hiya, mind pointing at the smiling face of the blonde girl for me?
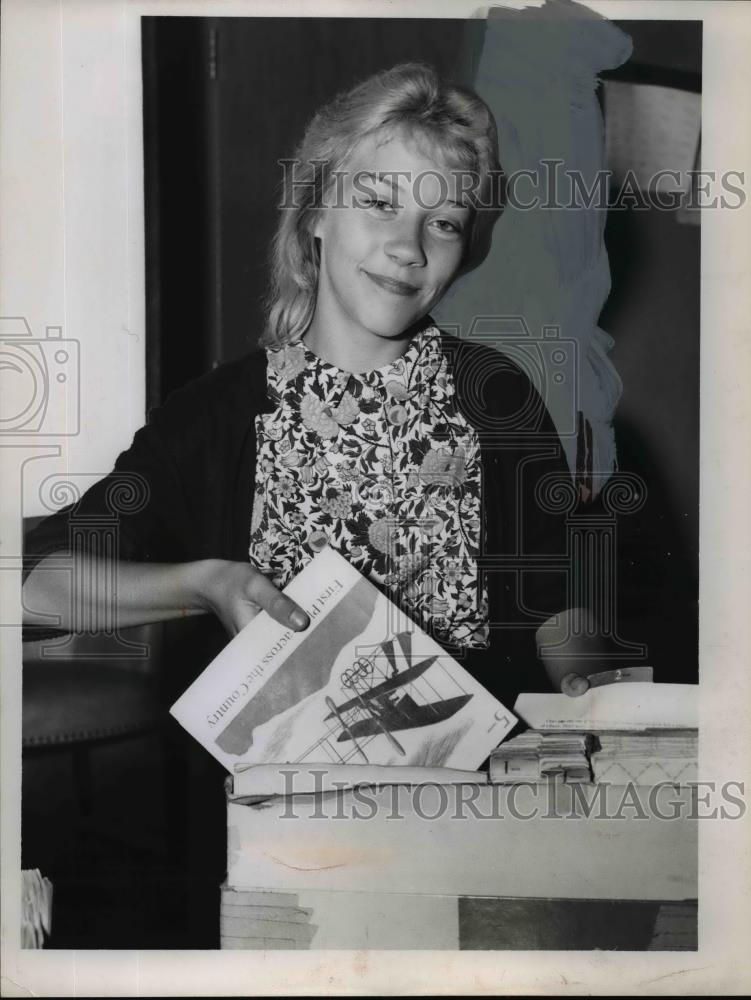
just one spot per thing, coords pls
(391, 241)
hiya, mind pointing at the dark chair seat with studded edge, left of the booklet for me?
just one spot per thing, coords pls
(69, 701)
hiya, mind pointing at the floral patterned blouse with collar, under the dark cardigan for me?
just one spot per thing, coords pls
(383, 467)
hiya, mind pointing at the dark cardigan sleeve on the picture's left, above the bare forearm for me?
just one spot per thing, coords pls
(183, 489)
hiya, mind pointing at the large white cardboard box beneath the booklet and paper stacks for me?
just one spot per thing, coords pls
(384, 867)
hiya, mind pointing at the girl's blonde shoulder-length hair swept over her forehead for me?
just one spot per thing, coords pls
(458, 127)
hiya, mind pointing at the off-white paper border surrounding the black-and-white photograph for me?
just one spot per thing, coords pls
(62, 33)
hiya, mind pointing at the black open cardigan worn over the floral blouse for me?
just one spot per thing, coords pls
(183, 491)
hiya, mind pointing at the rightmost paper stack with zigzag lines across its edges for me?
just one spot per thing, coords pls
(646, 758)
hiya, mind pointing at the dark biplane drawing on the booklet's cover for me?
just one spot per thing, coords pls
(388, 693)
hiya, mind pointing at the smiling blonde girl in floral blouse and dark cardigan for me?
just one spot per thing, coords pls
(420, 458)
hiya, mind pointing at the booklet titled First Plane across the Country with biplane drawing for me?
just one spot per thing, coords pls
(361, 685)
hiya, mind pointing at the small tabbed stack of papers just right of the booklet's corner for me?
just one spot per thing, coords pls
(534, 756)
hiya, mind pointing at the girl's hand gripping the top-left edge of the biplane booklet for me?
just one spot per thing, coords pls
(235, 592)
